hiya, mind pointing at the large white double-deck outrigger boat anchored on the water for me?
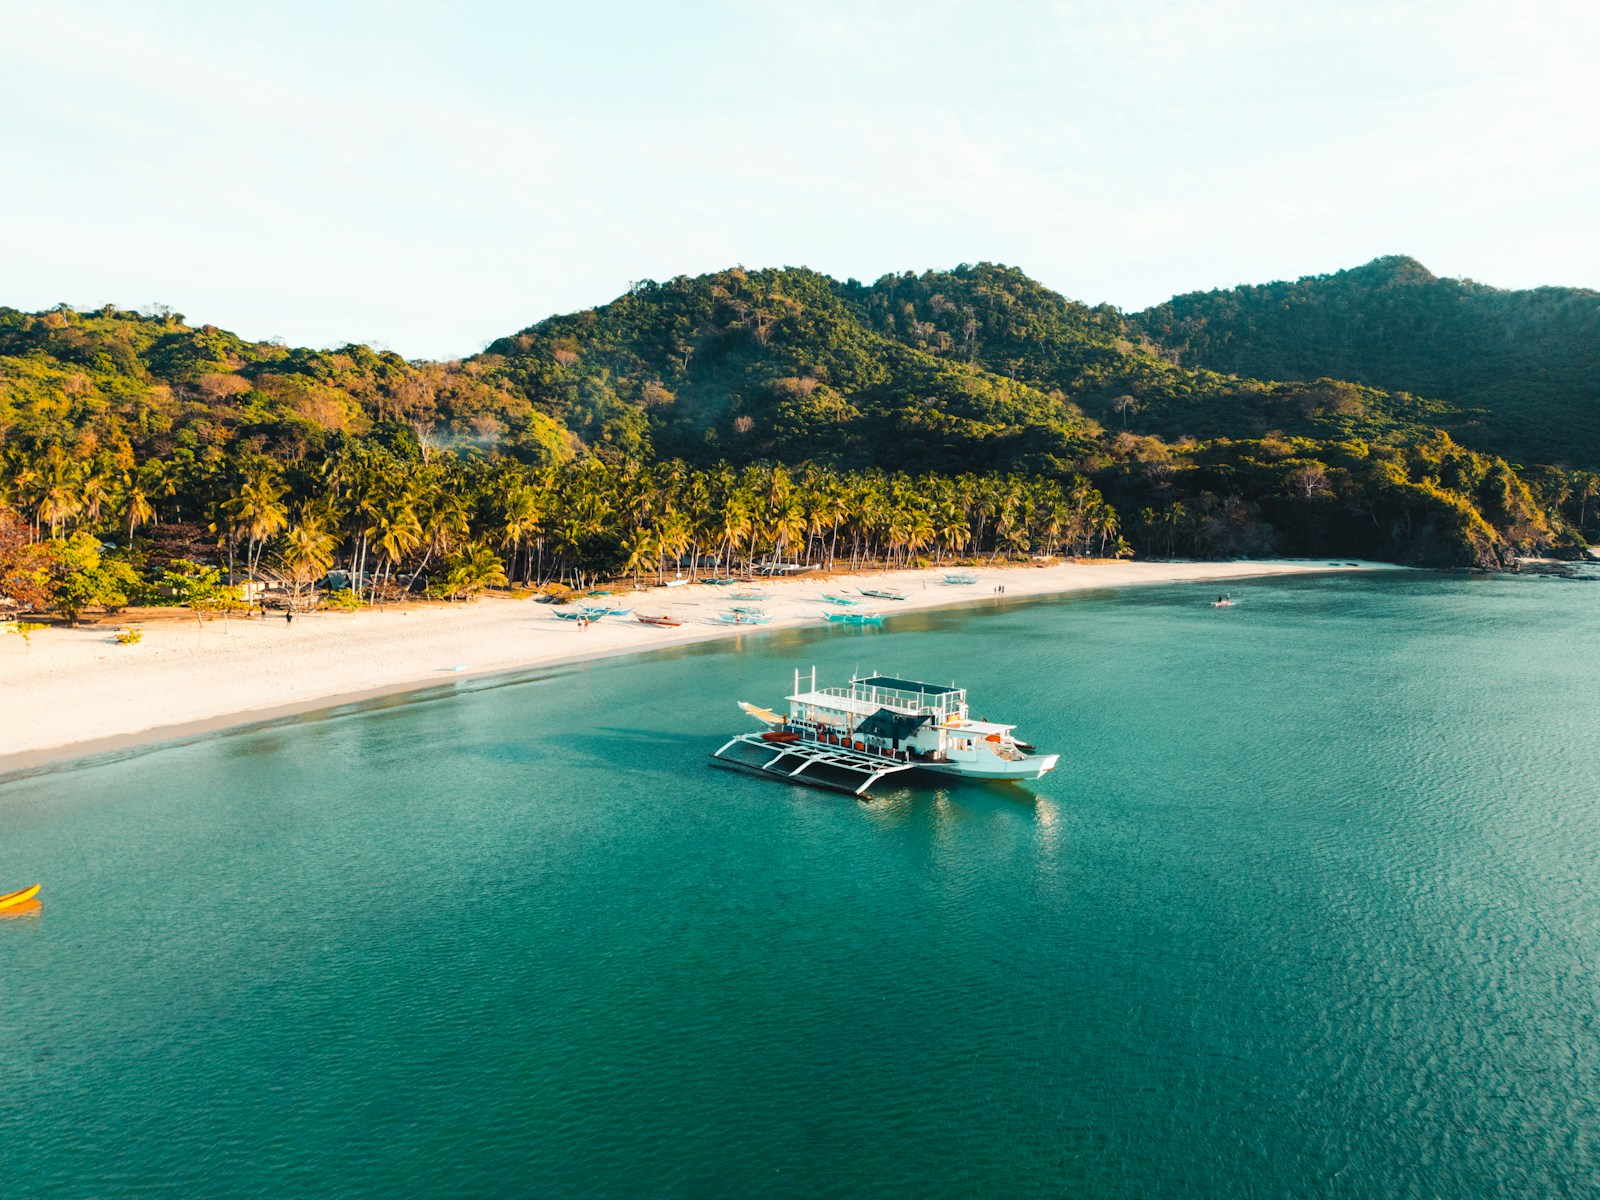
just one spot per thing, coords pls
(846, 740)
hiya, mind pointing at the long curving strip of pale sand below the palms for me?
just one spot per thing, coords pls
(78, 692)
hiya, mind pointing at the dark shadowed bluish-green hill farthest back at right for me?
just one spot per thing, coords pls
(1522, 367)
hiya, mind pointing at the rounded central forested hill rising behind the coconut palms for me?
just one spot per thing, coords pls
(969, 369)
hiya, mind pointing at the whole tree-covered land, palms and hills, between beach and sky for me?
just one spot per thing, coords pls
(753, 415)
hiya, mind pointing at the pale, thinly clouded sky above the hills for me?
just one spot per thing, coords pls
(430, 177)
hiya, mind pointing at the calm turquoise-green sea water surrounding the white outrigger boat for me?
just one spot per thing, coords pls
(1313, 908)
